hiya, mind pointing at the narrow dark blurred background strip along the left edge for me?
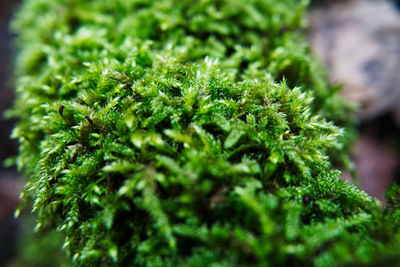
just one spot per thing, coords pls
(10, 183)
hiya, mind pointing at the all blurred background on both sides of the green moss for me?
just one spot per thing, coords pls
(357, 40)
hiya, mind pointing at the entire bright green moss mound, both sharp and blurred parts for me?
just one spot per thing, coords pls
(159, 133)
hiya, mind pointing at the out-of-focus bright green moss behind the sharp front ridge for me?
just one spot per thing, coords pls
(250, 38)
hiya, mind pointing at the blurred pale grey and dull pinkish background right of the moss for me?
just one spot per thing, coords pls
(359, 43)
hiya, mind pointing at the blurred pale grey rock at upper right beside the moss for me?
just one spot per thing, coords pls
(359, 41)
